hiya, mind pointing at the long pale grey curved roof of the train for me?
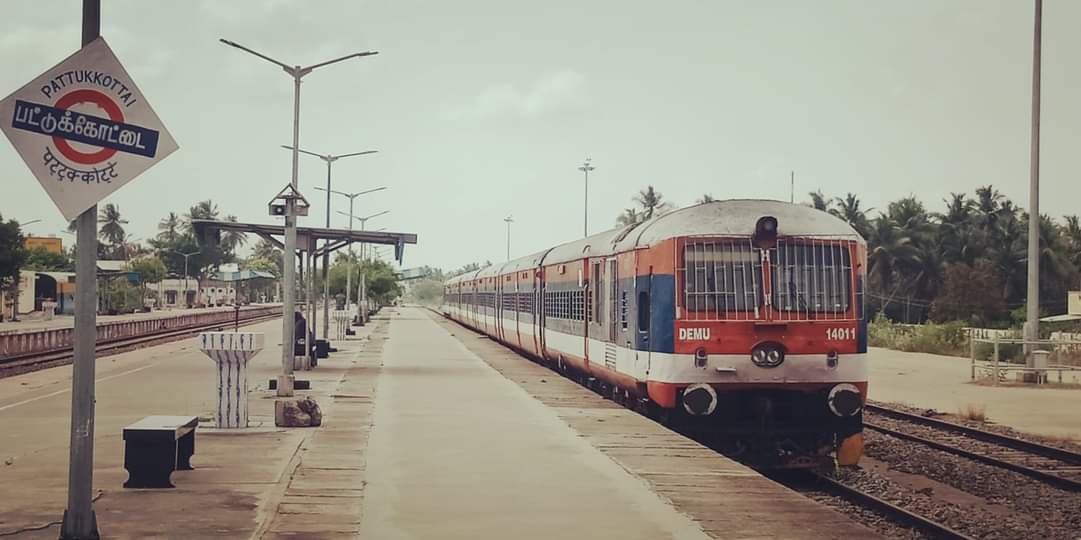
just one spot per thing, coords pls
(733, 218)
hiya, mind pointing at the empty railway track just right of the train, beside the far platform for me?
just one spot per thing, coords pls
(1047, 464)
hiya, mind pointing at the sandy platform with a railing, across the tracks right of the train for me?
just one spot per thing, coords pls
(944, 384)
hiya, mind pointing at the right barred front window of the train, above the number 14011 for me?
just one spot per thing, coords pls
(811, 277)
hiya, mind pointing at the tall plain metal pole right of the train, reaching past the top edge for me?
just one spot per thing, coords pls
(1033, 304)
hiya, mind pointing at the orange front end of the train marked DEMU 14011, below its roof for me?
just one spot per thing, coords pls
(768, 343)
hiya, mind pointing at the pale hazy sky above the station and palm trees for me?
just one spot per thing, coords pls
(486, 109)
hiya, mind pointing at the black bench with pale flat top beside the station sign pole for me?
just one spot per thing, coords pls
(156, 447)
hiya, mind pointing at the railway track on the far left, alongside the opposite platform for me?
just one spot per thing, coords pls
(35, 361)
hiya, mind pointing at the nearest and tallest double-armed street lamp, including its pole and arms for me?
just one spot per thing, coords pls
(289, 258)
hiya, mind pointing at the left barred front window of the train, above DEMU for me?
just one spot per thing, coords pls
(722, 278)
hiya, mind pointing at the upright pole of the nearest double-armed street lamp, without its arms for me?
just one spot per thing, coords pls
(289, 258)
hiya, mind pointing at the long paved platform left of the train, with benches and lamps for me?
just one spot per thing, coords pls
(430, 431)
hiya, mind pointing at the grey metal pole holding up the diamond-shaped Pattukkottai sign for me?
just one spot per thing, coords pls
(79, 521)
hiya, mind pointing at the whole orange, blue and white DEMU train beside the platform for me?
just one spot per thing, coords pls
(742, 320)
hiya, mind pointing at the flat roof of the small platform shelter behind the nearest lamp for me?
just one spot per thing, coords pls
(309, 239)
